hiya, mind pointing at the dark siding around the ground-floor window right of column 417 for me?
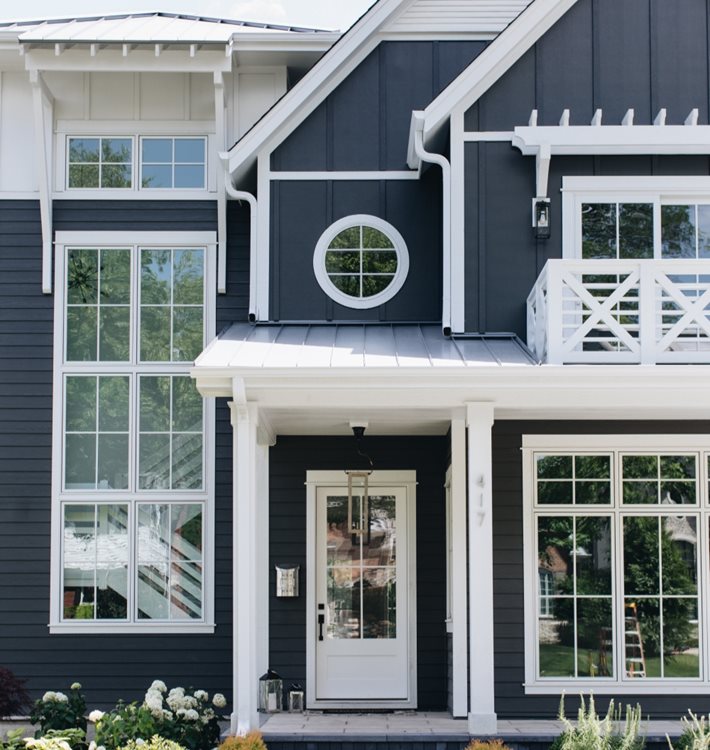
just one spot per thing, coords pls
(511, 701)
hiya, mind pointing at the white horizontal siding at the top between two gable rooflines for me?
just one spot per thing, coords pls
(460, 16)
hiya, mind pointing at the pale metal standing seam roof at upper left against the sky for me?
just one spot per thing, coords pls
(142, 27)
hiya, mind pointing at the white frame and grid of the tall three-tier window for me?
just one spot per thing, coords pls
(176, 500)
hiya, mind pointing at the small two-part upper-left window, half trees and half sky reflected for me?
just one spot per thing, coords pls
(136, 163)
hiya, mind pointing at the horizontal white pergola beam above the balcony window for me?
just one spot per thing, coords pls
(613, 139)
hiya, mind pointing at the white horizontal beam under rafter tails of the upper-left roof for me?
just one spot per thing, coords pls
(136, 61)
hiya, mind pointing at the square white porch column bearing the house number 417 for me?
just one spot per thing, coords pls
(482, 716)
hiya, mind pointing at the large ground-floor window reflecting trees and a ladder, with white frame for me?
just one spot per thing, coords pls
(616, 563)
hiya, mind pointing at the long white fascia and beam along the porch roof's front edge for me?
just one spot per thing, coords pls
(543, 392)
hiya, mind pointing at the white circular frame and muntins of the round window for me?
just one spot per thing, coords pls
(361, 222)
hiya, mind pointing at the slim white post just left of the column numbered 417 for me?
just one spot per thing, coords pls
(459, 616)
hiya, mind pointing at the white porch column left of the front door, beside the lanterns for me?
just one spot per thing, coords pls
(250, 560)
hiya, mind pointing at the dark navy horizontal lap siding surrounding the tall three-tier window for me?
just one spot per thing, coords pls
(108, 666)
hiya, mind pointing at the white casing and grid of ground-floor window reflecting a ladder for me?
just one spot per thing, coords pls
(618, 511)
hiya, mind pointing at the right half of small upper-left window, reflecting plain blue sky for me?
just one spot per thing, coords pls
(177, 163)
